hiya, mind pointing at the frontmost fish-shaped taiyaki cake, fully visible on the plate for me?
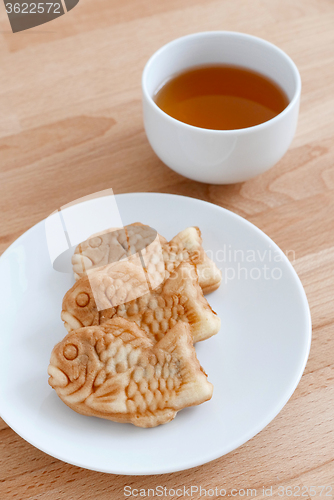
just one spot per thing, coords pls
(114, 371)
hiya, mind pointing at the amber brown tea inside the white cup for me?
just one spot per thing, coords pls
(221, 97)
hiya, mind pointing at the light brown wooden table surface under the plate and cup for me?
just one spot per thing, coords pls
(71, 125)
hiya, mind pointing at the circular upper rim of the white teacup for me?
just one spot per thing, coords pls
(205, 34)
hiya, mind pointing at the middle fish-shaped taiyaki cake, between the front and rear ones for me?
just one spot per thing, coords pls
(179, 298)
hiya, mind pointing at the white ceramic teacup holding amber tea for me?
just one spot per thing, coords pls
(220, 156)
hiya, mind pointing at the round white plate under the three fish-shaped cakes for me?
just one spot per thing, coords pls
(254, 363)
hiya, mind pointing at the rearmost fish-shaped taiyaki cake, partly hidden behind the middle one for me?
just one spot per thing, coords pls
(158, 256)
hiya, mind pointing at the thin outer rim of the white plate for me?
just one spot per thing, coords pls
(245, 438)
